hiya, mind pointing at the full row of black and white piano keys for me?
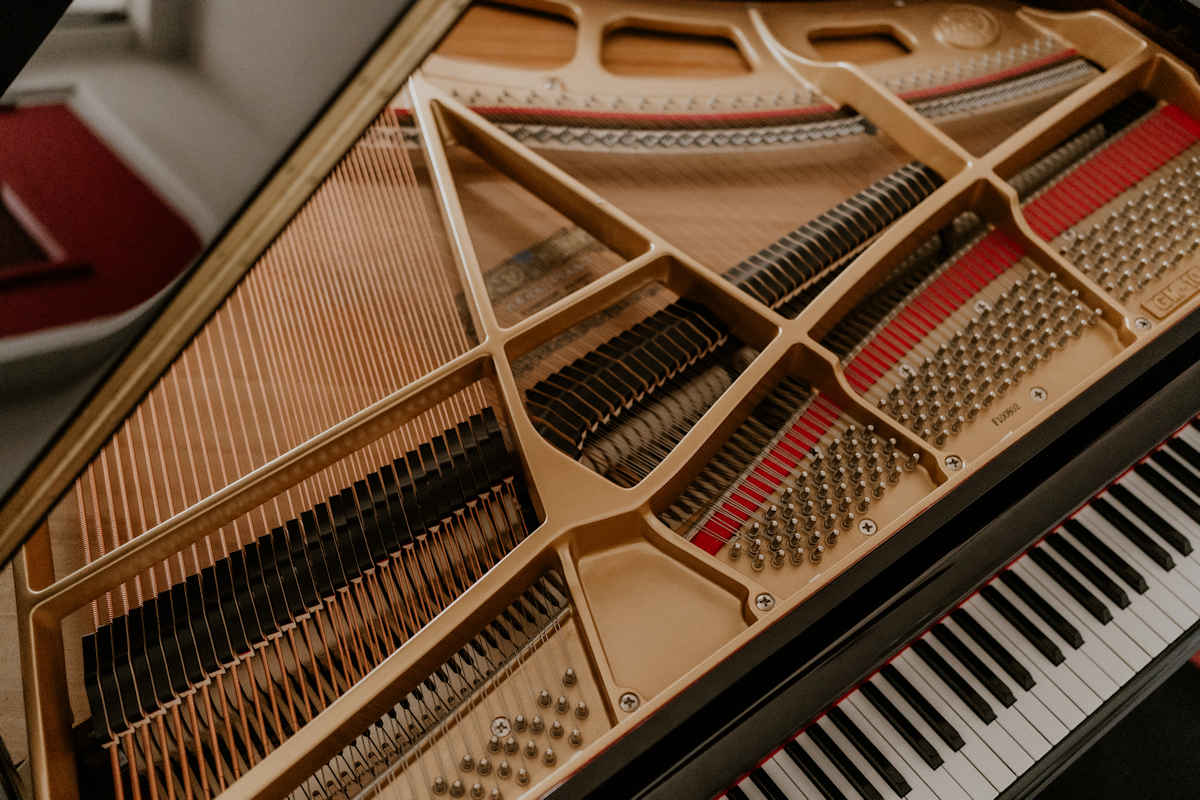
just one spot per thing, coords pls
(994, 687)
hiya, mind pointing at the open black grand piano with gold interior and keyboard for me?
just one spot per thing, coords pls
(614, 399)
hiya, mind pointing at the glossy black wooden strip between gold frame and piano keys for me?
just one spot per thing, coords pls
(724, 724)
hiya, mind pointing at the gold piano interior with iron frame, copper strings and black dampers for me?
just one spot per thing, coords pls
(620, 332)
